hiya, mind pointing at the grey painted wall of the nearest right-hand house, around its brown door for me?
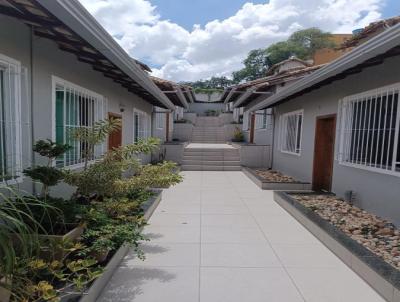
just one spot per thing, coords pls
(375, 192)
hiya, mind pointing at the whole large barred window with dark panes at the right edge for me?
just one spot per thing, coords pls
(370, 130)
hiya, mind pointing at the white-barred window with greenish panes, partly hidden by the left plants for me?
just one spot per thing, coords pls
(75, 107)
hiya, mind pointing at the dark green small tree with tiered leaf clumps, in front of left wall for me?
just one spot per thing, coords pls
(47, 175)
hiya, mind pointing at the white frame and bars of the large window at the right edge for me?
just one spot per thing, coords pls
(346, 119)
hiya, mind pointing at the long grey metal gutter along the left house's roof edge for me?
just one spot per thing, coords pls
(78, 19)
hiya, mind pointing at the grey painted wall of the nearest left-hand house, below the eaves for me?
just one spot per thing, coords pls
(49, 61)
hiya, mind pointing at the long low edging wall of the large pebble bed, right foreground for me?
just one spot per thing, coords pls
(380, 275)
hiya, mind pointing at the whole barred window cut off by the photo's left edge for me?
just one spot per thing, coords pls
(10, 120)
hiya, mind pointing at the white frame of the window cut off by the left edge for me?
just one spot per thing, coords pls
(12, 68)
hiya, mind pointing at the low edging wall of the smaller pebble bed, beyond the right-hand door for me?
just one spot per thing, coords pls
(277, 186)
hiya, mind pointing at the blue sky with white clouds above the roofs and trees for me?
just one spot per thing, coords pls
(188, 40)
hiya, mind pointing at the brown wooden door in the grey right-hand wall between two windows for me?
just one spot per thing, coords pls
(324, 153)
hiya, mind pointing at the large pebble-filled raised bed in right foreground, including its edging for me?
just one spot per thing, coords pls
(366, 243)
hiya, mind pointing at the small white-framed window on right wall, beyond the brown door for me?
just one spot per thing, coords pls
(291, 125)
